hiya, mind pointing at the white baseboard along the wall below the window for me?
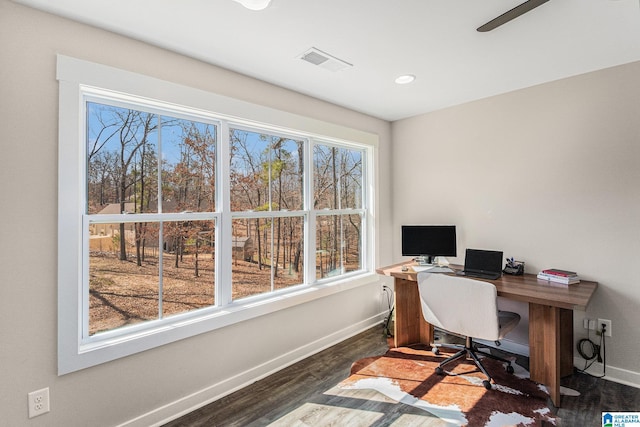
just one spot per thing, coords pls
(187, 404)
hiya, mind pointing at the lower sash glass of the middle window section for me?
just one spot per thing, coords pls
(267, 255)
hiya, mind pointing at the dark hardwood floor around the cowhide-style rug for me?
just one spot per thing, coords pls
(300, 394)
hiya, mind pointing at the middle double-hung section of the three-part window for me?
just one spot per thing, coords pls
(267, 200)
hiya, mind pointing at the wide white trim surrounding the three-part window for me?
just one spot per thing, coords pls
(73, 73)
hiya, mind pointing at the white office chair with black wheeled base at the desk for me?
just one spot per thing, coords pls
(465, 307)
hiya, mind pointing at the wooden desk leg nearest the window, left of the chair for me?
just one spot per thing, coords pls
(410, 326)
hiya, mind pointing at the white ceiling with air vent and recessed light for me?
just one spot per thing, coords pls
(436, 40)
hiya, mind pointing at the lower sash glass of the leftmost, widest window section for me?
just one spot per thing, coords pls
(125, 291)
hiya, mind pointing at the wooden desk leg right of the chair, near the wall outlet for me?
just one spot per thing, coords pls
(550, 346)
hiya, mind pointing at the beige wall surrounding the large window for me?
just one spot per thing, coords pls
(178, 375)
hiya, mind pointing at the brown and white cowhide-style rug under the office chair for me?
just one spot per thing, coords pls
(407, 375)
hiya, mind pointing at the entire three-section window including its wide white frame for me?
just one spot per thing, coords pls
(175, 219)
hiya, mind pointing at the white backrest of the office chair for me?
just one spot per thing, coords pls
(460, 305)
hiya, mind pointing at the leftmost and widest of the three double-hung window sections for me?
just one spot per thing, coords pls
(150, 215)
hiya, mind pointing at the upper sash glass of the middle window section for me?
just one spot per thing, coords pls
(266, 172)
